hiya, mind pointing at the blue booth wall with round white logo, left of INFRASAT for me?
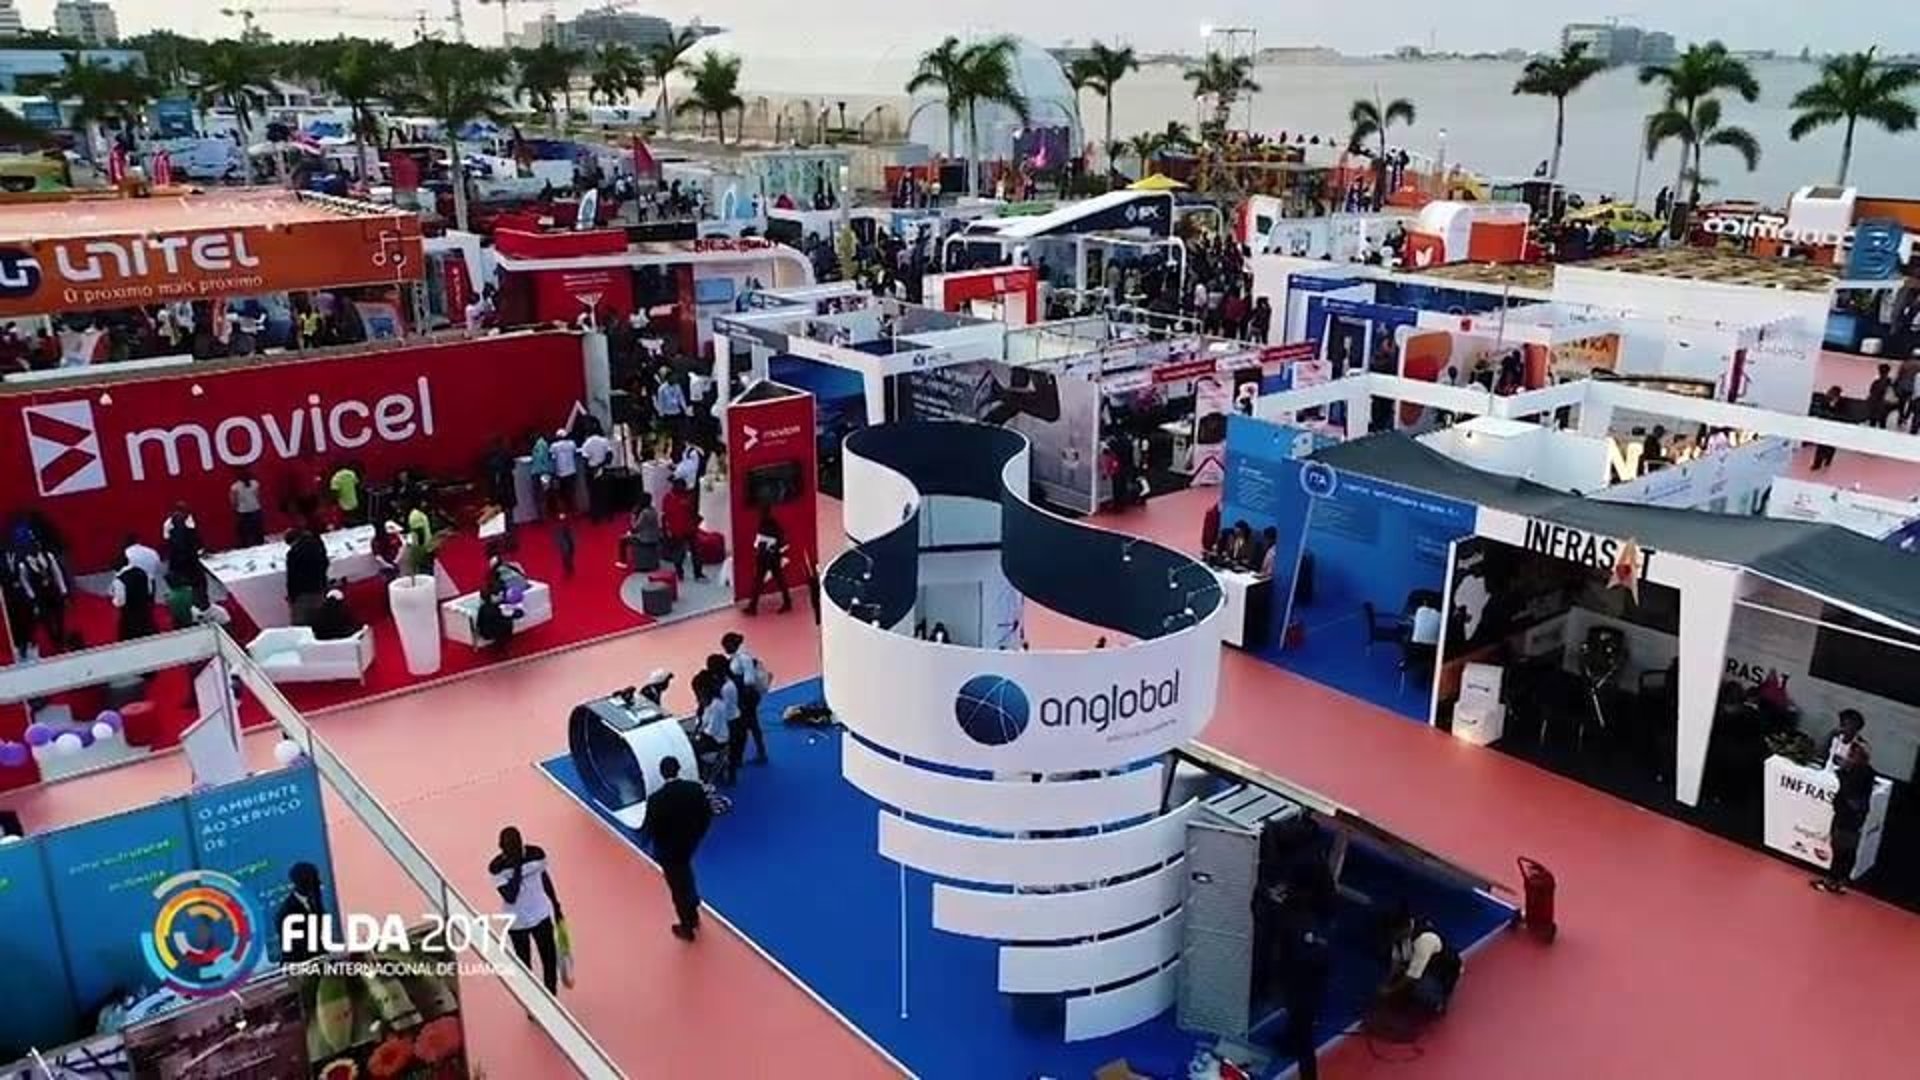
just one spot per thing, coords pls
(1372, 543)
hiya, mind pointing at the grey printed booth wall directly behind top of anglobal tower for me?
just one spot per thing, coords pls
(1059, 414)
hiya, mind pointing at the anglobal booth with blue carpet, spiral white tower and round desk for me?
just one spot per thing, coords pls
(1036, 870)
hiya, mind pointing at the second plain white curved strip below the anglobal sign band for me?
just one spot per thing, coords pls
(1034, 862)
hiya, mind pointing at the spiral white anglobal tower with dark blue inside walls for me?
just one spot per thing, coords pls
(1032, 785)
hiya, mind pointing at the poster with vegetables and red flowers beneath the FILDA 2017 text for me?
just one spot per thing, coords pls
(402, 1023)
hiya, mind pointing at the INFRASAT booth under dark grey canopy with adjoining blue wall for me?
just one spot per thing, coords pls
(1691, 662)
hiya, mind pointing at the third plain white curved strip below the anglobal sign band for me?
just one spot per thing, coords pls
(1057, 916)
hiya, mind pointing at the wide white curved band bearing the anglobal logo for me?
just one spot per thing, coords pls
(917, 708)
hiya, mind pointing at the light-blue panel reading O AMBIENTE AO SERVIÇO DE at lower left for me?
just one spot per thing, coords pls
(258, 829)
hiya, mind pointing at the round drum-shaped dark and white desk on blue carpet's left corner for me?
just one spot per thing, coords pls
(617, 749)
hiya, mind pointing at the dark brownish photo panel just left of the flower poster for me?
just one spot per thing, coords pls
(256, 1033)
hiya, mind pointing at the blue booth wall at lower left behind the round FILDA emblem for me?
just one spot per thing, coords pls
(78, 900)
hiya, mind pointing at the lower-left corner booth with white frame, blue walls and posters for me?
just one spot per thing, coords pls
(153, 941)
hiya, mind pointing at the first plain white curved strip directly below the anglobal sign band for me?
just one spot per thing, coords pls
(1001, 806)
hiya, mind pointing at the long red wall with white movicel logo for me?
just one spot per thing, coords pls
(112, 458)
